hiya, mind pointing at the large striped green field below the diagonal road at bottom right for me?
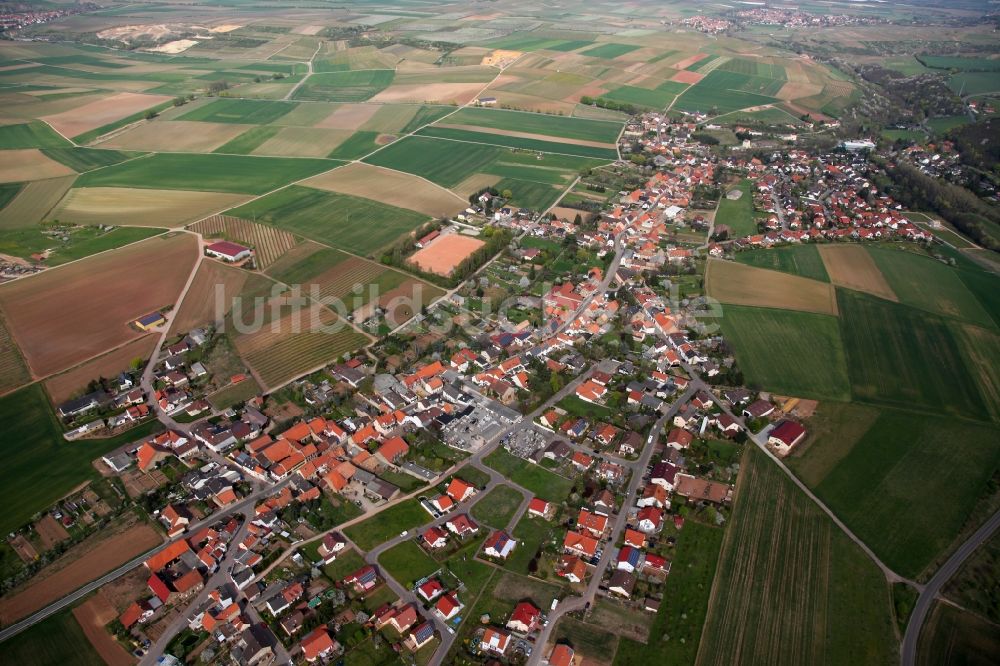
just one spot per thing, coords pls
(791, 588)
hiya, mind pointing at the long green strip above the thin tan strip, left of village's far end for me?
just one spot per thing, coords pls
(538, 123)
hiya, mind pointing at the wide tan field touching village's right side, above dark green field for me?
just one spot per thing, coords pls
(739, 284)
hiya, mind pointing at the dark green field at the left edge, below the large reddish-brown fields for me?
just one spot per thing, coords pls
(40, 466)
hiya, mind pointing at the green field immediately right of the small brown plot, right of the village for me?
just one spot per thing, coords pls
(930, 285)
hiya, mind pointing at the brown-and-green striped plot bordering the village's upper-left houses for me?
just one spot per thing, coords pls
(278, 352)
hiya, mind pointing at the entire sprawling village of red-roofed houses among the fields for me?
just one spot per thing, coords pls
(597, 409)
